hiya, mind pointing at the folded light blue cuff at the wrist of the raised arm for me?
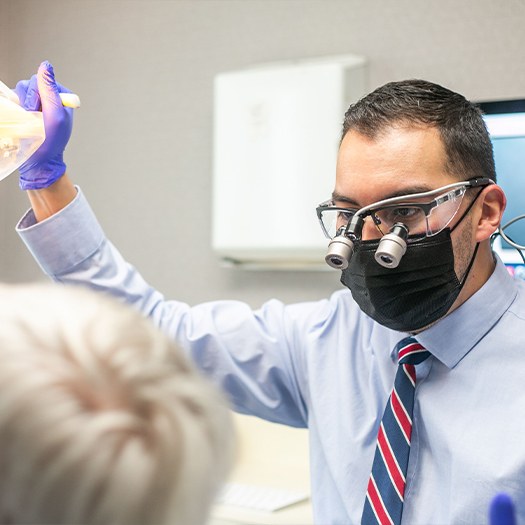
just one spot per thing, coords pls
(64, 240)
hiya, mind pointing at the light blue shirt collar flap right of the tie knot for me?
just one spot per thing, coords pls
(456, 334)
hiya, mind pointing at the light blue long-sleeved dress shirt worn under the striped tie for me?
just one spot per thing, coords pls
(325, 365)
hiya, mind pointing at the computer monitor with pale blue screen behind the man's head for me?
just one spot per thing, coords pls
(505, 121)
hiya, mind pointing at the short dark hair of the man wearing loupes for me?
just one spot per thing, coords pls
(418, 102)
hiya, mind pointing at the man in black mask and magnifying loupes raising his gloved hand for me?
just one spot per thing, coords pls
(415, 168)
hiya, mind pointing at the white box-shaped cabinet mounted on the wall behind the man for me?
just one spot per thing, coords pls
(277, 128)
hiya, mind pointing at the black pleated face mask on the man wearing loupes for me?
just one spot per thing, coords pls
(417, 293)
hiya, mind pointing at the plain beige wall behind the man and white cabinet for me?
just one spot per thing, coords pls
(142, 142)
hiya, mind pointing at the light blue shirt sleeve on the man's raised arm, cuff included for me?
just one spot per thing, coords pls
(255, 356)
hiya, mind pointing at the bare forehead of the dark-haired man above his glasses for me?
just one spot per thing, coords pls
(400, 160)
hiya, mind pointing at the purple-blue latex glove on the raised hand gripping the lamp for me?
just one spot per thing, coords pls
(41, 92)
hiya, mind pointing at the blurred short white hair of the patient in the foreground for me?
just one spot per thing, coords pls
(103, 420)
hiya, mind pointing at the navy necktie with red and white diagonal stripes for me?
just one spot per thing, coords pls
(386, 486)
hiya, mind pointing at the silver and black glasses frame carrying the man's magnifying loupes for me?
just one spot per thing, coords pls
(368, 211)
